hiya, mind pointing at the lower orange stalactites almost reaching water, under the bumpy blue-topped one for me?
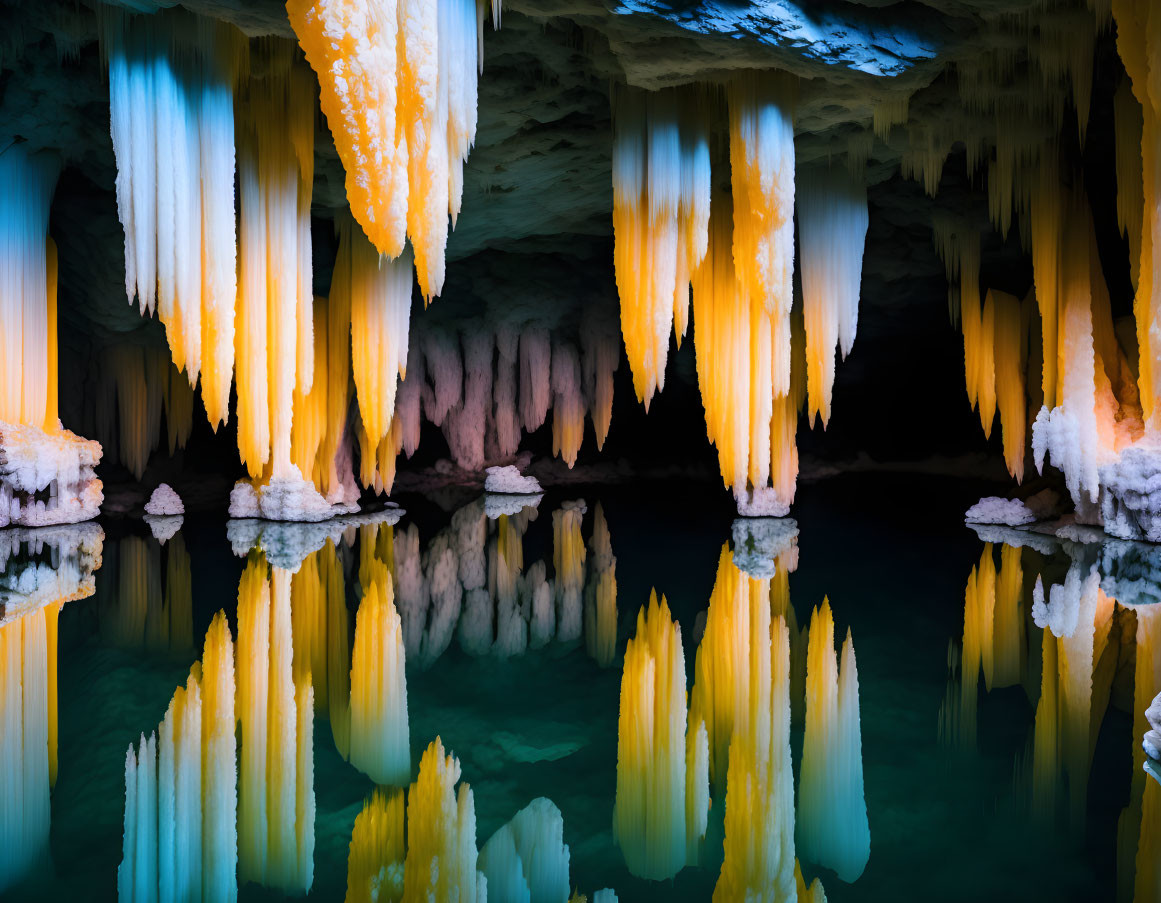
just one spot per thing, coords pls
(751, 418)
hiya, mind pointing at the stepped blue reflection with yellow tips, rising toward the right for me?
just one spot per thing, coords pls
(181, 836)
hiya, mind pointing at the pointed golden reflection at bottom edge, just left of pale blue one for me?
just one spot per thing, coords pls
(442, 833)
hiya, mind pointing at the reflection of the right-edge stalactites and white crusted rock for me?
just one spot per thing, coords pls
(1087, 638)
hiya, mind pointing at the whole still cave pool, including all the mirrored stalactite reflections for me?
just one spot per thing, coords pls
(997, 738)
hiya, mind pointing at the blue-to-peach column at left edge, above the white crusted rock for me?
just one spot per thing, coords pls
(28, 291)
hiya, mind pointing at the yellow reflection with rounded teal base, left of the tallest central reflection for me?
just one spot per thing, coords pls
(662, 784)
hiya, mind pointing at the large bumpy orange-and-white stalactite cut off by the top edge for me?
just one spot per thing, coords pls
(399, 89)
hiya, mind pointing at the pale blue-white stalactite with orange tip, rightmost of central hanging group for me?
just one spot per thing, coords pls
(833, 226)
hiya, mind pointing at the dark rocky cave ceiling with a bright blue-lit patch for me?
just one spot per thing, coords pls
(535, 239)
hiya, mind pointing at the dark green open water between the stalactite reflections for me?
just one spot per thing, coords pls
(948, 821)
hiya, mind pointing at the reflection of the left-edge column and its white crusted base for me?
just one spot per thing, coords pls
(41, 569)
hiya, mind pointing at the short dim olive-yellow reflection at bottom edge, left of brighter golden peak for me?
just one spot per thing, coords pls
(376, 862)
